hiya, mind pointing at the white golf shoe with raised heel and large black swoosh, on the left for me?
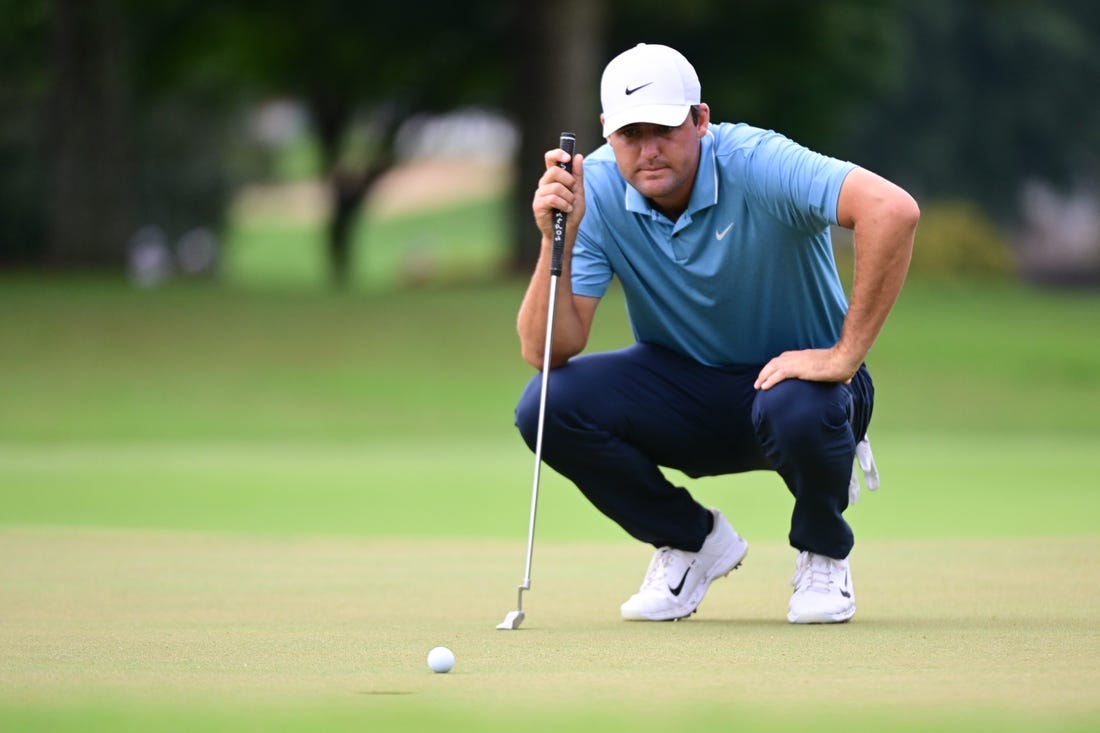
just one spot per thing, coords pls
(677, 581)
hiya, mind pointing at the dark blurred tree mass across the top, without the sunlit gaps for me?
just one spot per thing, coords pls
(963, 100)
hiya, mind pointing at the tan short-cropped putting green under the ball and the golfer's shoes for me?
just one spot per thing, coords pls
(126, 626)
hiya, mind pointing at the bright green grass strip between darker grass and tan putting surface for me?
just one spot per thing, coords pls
(951, 485)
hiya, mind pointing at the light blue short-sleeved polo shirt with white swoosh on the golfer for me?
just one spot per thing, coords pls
(745, 273)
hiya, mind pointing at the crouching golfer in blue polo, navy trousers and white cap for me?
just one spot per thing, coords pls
(749, 355)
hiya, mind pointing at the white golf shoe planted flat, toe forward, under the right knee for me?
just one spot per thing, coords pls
(823, 593)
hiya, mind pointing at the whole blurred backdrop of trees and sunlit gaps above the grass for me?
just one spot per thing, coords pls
(128, 126)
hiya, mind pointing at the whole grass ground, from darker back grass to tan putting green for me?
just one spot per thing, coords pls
(255, 510)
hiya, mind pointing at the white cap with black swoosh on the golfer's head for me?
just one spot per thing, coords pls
(650, 83)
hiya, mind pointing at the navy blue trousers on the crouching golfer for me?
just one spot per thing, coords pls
(615, 419)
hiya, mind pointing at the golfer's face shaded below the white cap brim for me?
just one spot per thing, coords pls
(659, 161)
